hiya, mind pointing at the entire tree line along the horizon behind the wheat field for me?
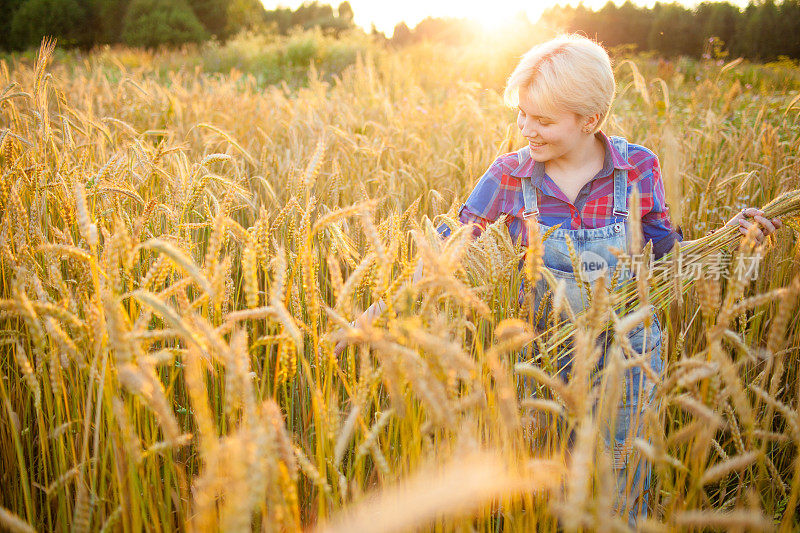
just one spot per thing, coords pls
(763, 31)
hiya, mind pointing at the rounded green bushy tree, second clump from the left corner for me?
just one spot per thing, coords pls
(150, 23)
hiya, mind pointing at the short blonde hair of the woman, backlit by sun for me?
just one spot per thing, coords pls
(568, 72)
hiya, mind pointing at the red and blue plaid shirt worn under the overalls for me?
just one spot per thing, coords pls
(499, 191)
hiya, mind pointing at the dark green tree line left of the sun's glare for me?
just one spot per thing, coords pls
(149, 23)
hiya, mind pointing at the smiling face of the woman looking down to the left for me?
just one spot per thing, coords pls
(550, 134)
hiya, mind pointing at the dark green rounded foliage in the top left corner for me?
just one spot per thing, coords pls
(63, 19)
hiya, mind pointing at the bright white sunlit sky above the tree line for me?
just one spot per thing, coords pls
(386, 13)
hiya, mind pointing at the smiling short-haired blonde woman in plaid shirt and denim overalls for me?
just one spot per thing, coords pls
(572, 174)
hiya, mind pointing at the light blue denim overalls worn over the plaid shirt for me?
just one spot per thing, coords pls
(593, 246)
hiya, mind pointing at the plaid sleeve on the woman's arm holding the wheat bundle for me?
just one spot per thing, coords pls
(656, 224)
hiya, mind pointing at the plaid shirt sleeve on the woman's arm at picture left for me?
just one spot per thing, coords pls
(484, 204)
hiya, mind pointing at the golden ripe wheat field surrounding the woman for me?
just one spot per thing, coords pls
(180, 251)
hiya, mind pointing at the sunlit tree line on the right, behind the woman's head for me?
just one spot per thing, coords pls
(762, 31)
